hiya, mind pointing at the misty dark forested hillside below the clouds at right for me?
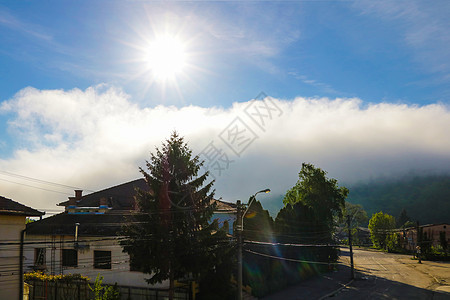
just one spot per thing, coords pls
(425, 198)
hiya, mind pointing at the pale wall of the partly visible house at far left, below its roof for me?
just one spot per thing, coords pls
(10, 227)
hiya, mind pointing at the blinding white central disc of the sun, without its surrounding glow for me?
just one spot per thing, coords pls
(166, 58)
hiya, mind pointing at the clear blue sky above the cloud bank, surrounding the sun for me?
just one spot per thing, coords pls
(391, 51)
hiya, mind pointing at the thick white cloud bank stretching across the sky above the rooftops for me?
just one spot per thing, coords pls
(97, 138)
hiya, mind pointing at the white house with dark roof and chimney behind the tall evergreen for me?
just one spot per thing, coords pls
(85, 237)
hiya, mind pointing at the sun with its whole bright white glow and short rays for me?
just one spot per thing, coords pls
(165, 58)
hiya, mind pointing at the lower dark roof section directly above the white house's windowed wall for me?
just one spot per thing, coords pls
(107, 224)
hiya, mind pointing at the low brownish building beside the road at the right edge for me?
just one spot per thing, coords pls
(431, 233)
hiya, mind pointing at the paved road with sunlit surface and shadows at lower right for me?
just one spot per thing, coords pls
(391, 276)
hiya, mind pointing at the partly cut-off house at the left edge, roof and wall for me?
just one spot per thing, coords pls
(12, 223)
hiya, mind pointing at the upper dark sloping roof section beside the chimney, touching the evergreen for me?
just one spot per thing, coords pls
(119, 197)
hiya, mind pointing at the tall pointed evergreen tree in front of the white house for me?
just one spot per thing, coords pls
(169, 234)
